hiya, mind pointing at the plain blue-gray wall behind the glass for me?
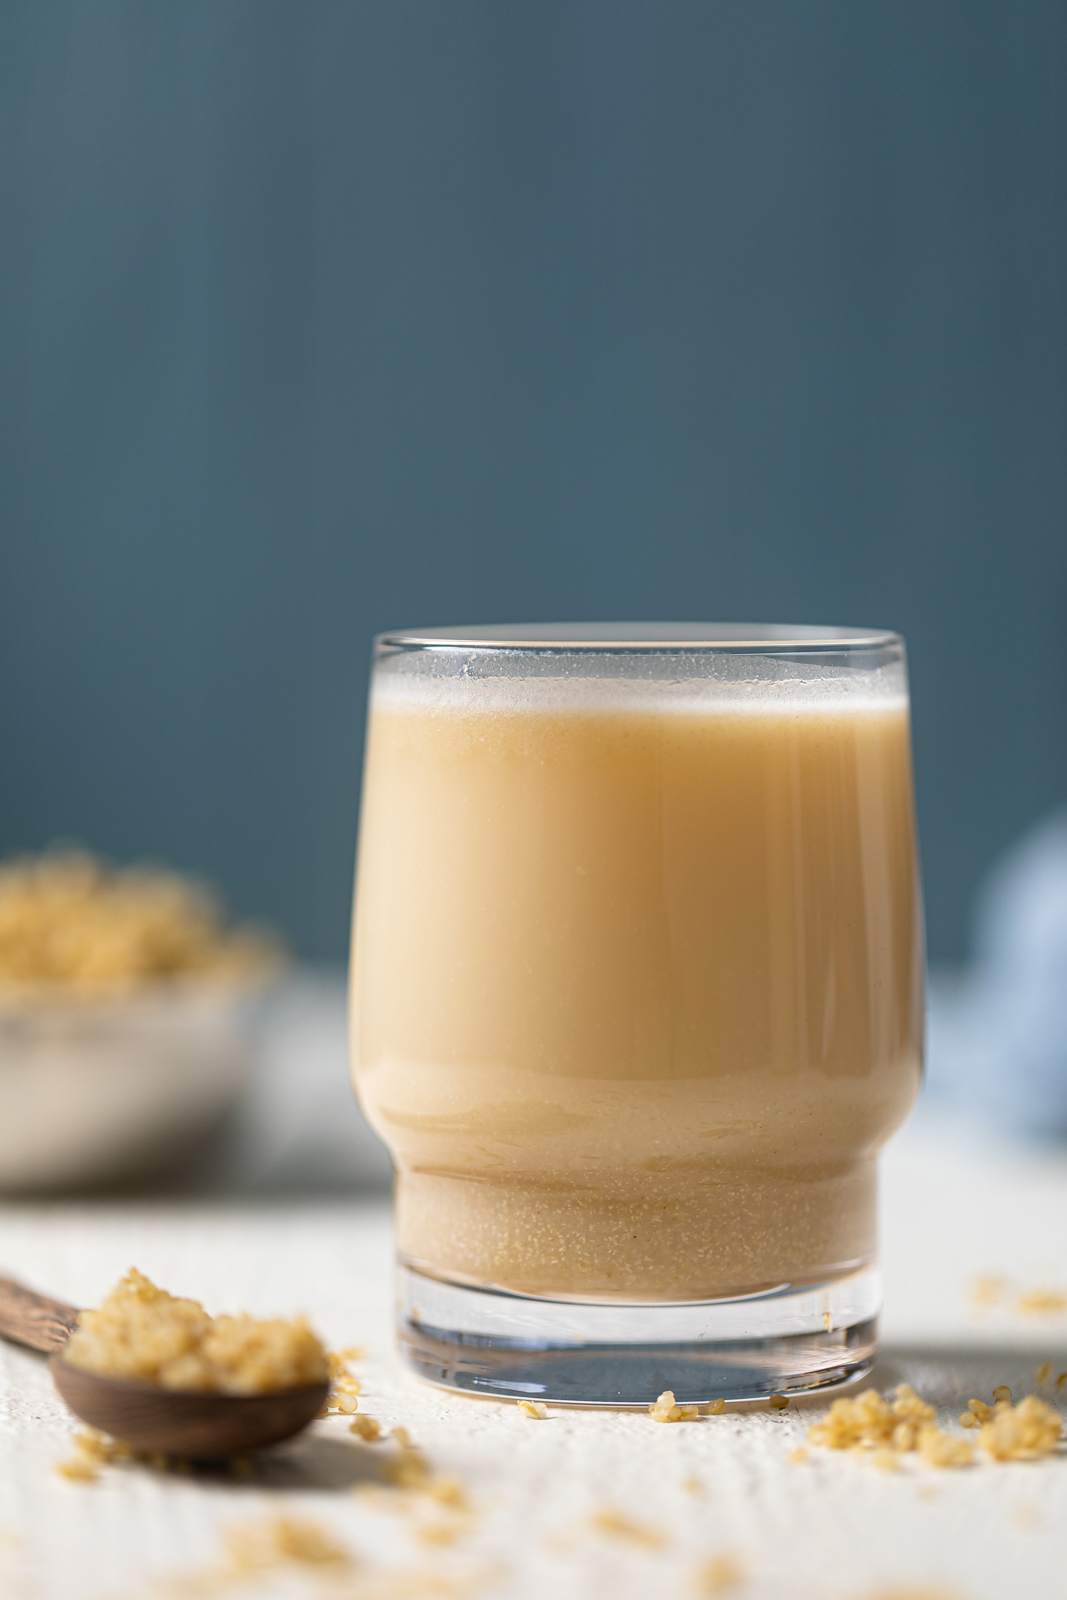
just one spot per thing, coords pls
(326, 318)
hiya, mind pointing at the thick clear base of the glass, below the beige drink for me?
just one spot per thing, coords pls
(580, 1353)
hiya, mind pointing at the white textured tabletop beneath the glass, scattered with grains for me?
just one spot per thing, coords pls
(831, 1527)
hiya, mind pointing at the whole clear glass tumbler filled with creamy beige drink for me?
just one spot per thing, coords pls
(637, 998)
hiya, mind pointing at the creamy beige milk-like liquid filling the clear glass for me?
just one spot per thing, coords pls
(637, 988)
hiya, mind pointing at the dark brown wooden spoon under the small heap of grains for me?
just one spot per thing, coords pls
(146, 1417)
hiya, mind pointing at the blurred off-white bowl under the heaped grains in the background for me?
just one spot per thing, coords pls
(94, 1092)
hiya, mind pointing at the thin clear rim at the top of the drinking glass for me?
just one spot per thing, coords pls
(607, 638)
